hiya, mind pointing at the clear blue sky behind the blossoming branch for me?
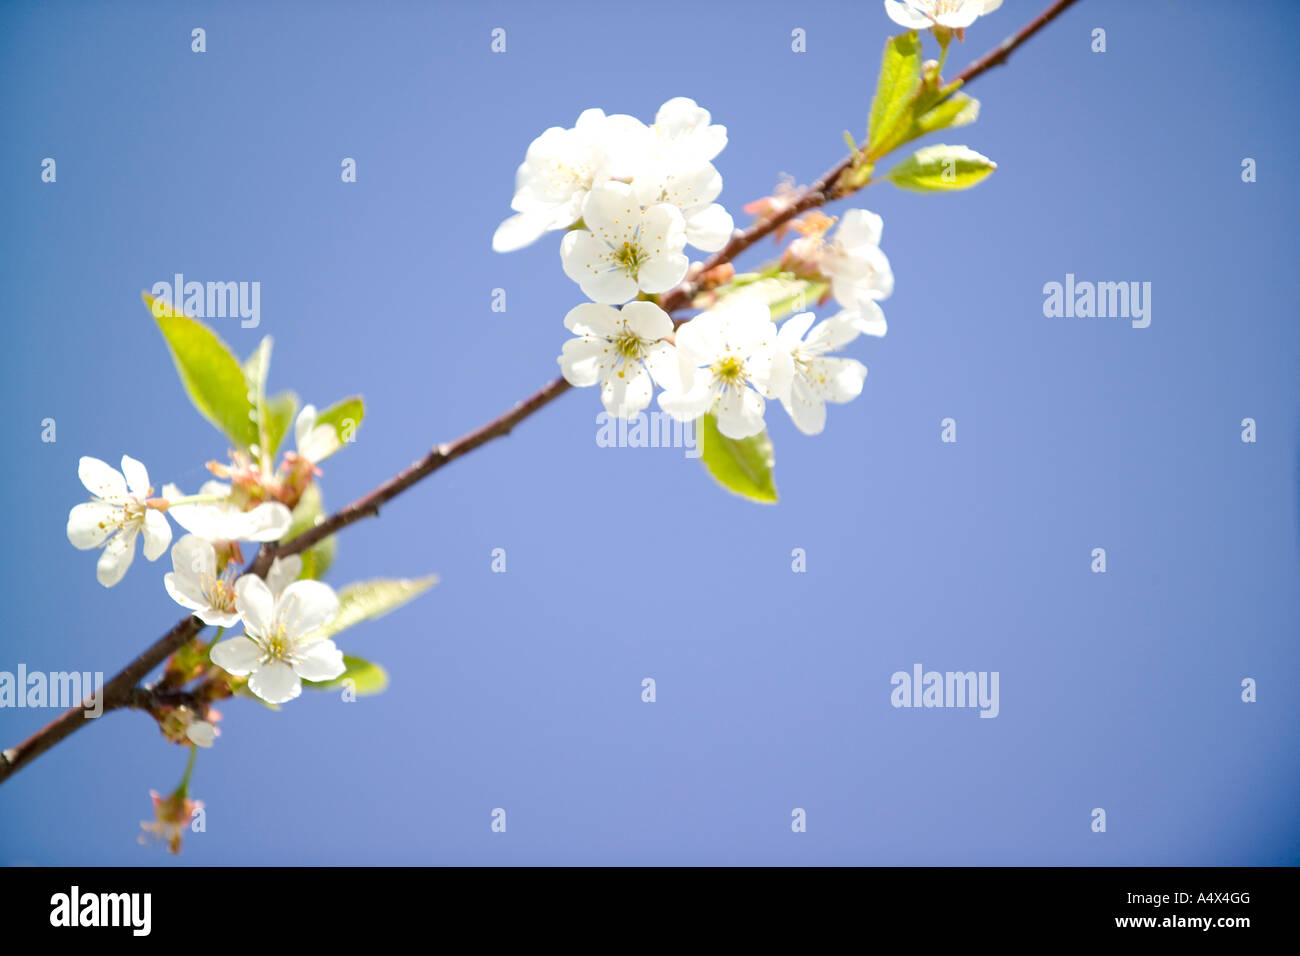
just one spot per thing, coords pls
(522, 691)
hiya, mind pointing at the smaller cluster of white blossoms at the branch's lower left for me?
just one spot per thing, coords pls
(280, 615)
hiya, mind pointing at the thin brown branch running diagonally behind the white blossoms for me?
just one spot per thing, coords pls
(123, 693)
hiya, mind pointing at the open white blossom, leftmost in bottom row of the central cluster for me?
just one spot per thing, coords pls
(625, 353)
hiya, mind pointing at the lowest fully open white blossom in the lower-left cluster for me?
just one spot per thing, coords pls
(278, 651)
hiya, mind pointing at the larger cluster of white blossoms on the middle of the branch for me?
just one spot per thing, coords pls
(632, 198)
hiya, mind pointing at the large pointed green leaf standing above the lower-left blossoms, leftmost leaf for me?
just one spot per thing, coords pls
(213, 377)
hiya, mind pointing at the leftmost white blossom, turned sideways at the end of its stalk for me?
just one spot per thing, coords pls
(119, 513)
